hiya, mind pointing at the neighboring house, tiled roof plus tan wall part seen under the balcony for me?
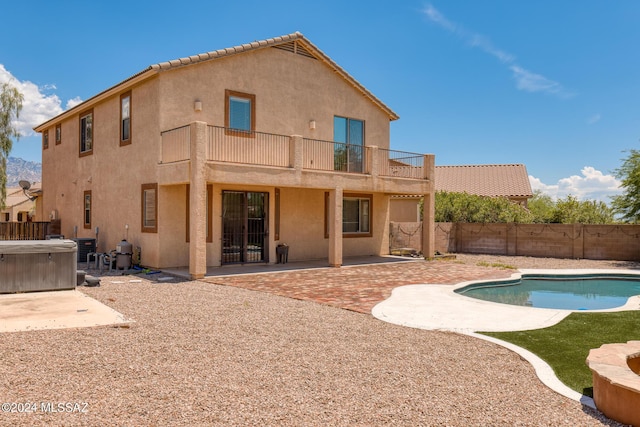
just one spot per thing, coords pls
(510, 181)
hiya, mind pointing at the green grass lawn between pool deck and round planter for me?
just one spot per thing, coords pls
(565, 346)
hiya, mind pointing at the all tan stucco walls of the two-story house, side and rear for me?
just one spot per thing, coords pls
(290, 91)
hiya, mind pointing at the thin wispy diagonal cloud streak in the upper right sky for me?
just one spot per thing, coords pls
(525, 80)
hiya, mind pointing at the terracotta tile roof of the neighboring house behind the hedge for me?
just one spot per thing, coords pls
(484, 180)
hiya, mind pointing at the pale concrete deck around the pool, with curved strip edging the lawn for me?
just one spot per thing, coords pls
(431, 306)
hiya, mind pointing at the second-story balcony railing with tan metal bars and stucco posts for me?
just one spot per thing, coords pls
(225, 146)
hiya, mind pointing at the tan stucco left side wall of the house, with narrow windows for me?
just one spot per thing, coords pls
(113, 174)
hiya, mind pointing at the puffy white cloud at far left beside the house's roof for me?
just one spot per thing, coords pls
(38, 105)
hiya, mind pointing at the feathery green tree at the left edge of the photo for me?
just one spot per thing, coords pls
(10, 107)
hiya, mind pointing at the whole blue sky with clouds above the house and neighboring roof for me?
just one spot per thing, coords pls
(554, 85)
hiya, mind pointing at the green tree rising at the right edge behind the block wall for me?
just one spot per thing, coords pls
(628, 203)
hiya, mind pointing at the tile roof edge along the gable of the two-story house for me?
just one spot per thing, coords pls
(309, 50)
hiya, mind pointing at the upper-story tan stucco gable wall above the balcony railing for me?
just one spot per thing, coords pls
(290, 90)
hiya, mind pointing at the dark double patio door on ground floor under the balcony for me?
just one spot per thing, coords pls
(245, 227)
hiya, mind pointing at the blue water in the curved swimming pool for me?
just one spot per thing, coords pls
(578, 292)
